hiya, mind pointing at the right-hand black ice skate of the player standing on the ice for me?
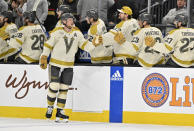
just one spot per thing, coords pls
(61, 117)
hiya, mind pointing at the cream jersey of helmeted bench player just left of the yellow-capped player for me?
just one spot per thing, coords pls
(101, 54)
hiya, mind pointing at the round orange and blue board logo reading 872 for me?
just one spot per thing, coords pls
(155, 90)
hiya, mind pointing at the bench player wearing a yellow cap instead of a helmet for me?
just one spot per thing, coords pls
(122, 32)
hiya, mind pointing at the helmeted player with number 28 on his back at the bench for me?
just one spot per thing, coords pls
(29, 39)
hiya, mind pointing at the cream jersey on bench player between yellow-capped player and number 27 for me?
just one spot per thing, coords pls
(146, 55)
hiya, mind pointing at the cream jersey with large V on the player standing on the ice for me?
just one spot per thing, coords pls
(63, 46)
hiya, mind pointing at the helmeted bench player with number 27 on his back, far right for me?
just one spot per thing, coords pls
(179, 43)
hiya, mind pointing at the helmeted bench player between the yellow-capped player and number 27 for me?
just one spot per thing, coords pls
(143, 41)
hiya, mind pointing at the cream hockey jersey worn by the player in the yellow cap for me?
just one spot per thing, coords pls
(127, 28)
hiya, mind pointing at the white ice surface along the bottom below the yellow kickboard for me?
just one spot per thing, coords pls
(13, 124)
